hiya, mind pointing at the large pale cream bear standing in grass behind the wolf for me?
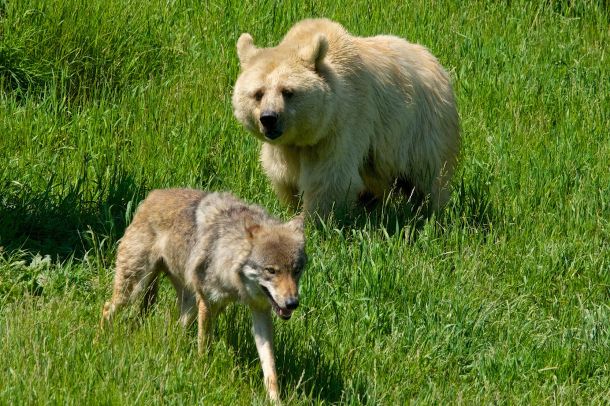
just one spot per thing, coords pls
(343, 117)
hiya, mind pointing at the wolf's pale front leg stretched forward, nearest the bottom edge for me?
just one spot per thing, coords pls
(262, 328)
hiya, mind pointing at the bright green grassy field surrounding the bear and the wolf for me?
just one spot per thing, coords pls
(505, 298)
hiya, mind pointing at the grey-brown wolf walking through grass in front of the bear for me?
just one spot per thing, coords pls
(215, 249)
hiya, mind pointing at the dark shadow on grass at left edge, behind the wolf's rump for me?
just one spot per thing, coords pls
(65, 220)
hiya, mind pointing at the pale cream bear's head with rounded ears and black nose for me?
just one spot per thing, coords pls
(282, 93)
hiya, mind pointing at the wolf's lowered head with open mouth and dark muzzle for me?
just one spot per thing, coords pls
(276, 263)
